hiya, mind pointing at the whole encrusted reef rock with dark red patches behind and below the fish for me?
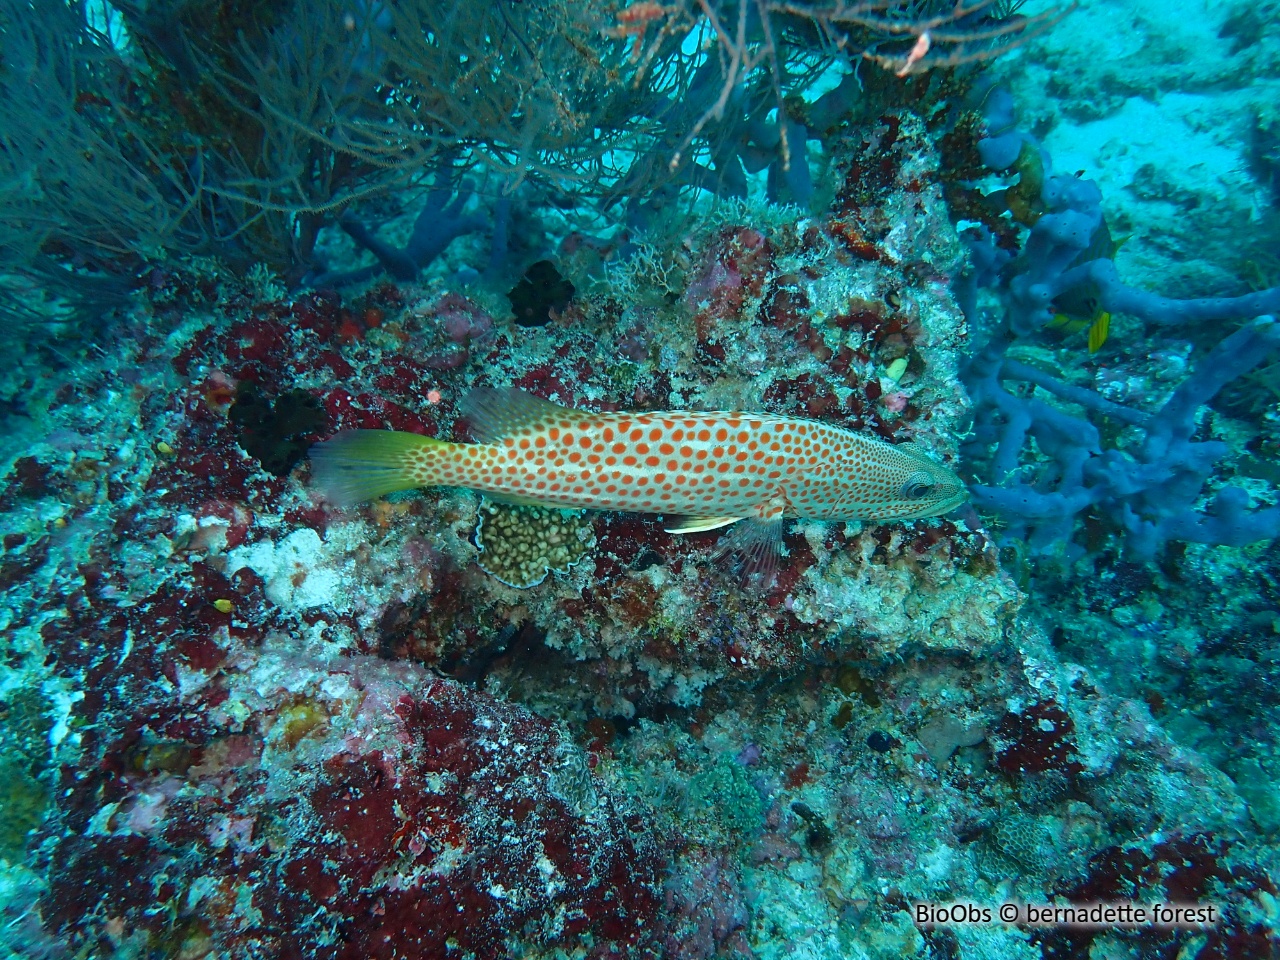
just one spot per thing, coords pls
(280, 729)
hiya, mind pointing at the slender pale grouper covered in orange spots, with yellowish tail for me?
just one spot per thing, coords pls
(714, 469)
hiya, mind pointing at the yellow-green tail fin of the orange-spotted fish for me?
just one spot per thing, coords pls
(364, 465)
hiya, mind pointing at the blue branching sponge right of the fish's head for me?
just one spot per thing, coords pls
(1151, 491)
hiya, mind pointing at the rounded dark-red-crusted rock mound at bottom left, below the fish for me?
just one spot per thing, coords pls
(326, 806)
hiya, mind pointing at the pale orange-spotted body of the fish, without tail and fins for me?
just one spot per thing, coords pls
(691, 464)
